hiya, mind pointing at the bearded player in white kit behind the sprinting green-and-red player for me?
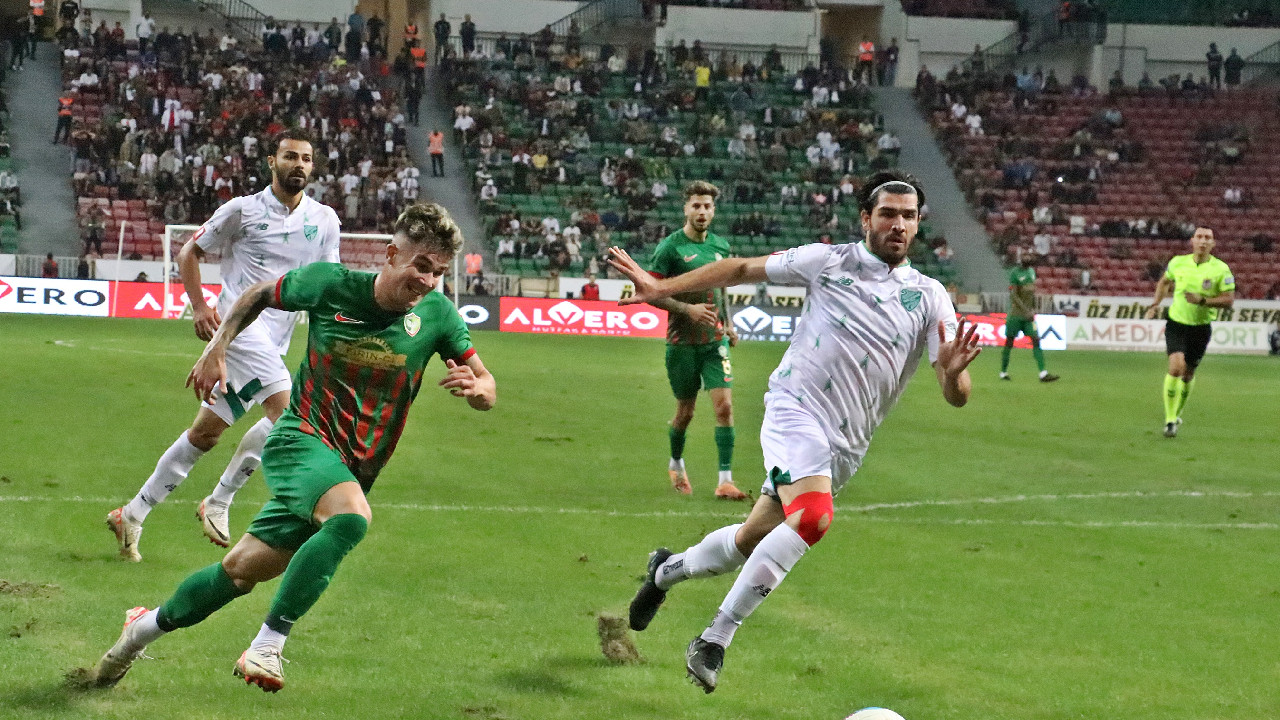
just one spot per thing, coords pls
(260, 238)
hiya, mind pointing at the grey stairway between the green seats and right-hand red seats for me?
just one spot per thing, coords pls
(949, 212)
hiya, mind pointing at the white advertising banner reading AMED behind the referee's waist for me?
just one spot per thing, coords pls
(1105, 334)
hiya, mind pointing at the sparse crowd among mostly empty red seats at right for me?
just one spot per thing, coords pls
(1104, 186)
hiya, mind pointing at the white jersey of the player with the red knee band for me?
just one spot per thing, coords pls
(860, 339)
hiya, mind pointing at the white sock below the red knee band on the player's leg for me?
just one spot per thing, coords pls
(764, 572)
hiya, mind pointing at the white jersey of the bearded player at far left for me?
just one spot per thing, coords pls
(260, 240)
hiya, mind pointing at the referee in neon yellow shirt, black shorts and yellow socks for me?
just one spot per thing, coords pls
(1200, 284)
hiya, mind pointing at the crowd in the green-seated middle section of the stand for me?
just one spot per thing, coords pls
(573, 153)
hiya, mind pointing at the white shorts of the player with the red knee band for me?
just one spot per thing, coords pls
(796, 446)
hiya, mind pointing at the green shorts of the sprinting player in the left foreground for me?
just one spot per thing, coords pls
(299, 471)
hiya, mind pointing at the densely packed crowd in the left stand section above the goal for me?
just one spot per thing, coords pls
(168, 127)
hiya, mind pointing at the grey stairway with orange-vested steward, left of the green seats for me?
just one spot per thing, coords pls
(454, 190)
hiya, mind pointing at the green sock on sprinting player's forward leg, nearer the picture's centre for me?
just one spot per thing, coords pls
(312, 569)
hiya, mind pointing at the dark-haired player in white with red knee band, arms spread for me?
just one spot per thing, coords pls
(868, 318)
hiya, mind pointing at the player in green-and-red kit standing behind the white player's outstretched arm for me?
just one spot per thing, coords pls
(700, 335)
